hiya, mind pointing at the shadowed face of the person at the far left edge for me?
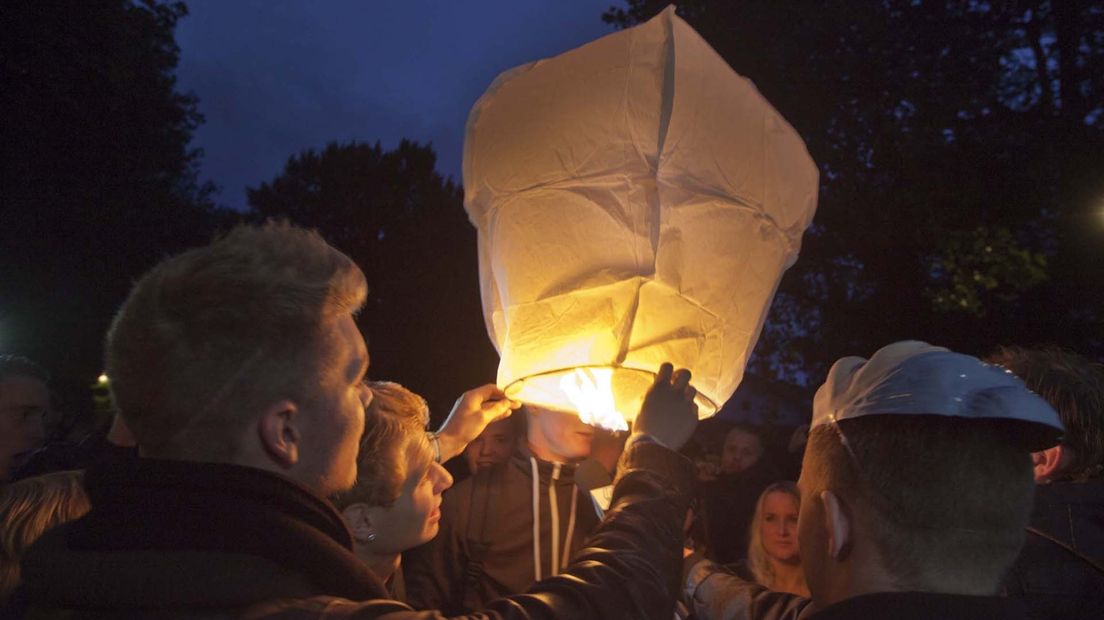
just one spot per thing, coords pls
(24, 404)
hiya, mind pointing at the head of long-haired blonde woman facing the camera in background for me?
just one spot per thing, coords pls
(774, 559)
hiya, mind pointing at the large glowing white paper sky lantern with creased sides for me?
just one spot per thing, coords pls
(636, 202)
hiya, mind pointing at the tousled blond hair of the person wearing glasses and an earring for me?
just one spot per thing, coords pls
(394, 446)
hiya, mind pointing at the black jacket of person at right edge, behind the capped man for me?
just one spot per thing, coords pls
(1053, 581)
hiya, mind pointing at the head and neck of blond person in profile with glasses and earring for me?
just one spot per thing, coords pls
(396, 505)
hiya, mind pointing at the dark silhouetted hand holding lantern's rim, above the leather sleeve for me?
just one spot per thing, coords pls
(670, 413)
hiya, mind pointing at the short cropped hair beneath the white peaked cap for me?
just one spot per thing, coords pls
(946, 500)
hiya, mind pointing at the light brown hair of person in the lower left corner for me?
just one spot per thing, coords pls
(28, 510)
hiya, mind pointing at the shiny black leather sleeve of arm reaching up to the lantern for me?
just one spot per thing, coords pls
(631, 568)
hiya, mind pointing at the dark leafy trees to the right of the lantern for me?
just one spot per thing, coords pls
(962, 181)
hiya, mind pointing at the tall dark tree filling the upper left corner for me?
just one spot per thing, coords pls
(98, 180)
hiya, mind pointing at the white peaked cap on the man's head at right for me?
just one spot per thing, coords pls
(914, 378)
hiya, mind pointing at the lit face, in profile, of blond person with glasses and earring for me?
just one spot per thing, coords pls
(416, 517)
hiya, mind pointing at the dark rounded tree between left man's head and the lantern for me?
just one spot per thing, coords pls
(406, 227)
